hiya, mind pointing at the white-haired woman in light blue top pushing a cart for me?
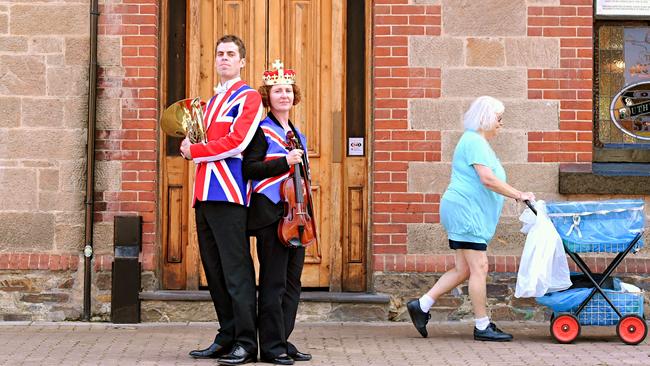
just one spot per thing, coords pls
(469, 211)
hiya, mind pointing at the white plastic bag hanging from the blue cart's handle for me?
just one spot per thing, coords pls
(543, 267)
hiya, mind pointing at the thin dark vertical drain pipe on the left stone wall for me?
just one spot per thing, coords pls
(90, 157)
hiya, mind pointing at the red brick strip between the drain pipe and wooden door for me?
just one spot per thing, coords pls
(135, 144)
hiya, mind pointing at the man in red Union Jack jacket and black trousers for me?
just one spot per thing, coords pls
(232, 116)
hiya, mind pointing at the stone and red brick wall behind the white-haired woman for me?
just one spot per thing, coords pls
(431, 59)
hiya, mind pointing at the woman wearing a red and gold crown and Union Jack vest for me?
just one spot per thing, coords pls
(268, 162)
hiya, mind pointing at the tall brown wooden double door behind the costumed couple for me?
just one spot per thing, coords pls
(307, 35)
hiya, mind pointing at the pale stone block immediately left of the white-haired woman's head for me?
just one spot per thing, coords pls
(435, 114)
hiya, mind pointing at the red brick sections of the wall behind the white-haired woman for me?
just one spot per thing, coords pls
(395, 145)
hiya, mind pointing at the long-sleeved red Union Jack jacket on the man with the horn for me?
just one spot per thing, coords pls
(231, 120)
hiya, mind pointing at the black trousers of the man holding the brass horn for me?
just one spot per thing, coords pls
(225, 252)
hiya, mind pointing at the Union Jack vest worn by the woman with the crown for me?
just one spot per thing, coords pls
(277, 148)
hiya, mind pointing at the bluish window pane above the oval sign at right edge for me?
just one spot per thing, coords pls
(637, 55)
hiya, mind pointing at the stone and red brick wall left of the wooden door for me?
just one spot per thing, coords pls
(44, 51)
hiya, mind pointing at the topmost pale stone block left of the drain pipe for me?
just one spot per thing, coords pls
(45, 19)
